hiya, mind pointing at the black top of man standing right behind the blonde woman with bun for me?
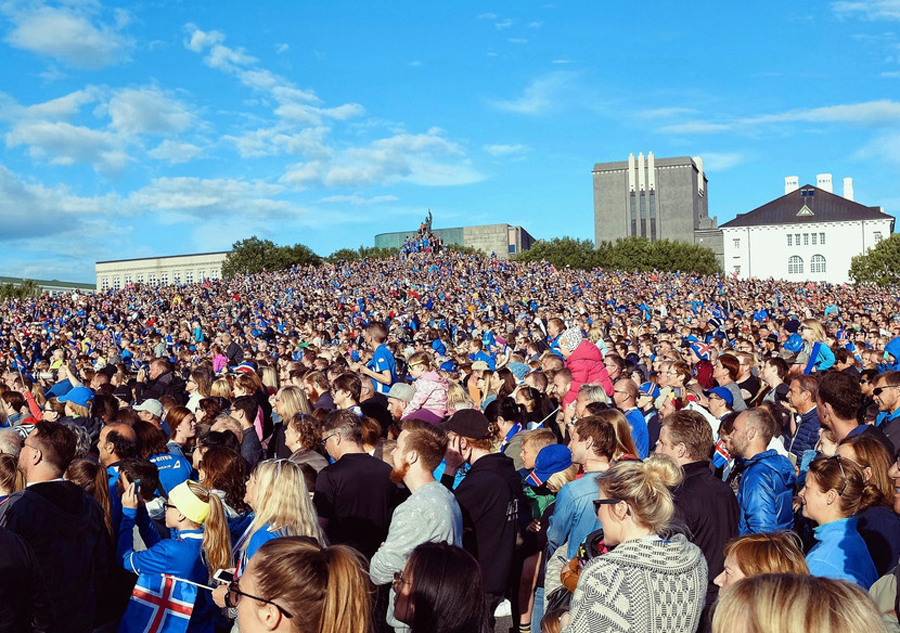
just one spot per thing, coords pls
(707, 512)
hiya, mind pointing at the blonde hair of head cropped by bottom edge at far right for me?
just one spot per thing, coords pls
(790, 603)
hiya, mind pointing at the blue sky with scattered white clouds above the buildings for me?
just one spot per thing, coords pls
(158, 128)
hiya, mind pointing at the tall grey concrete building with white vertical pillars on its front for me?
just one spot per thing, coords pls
(656, 198)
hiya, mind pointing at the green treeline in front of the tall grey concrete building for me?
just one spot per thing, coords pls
(626, 254)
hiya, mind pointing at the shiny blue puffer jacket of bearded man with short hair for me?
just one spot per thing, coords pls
(766, 494)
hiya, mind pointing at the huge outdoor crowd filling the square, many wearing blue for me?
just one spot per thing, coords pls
(440, 442)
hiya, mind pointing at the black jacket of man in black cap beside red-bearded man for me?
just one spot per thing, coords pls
(489, 497)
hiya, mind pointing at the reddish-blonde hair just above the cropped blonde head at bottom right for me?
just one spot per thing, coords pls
(775, 553)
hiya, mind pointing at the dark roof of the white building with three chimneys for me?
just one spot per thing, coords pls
(799, 207)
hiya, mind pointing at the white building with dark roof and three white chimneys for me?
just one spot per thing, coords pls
(808, 234)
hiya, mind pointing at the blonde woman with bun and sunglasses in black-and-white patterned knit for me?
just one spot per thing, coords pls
(649, 583)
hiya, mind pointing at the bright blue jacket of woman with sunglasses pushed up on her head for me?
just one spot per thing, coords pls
(841, 554)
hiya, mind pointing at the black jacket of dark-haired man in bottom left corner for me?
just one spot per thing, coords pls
(65, 527)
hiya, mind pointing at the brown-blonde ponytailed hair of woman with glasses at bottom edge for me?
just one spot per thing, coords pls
(325, 590)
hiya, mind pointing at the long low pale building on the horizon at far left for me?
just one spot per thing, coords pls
(159, 271)
